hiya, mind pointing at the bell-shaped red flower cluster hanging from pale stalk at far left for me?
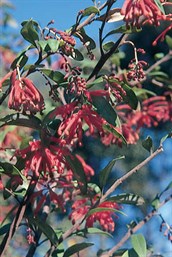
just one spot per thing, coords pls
(24, 95)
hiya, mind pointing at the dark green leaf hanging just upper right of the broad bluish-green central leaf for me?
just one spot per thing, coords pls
(130, 98)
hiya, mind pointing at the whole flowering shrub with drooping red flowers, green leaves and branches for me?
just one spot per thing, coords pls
(41, 166)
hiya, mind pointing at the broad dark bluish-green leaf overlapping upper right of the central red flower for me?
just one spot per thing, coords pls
(104, 109)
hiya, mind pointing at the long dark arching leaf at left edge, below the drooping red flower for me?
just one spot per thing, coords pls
(17, 119)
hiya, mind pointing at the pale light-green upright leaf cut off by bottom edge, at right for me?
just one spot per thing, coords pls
(139, 244)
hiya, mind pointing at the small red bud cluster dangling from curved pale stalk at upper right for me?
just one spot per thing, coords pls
(136, 71)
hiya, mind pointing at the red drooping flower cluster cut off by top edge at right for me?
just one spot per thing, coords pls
(139, 12)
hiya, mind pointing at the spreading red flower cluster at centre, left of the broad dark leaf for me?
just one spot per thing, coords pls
(74, 117)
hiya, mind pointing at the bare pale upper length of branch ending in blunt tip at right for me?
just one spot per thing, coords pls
(130, 173)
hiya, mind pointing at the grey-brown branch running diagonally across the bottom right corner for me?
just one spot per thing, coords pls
(137, 227)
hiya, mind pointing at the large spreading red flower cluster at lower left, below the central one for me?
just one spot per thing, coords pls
(43, 159)
